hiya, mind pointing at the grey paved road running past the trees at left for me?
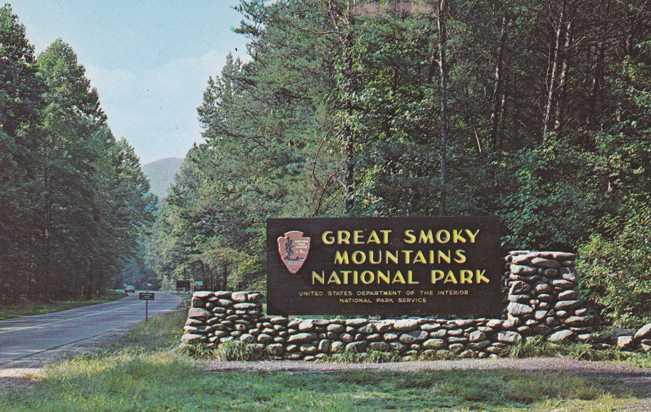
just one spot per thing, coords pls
(31, 341)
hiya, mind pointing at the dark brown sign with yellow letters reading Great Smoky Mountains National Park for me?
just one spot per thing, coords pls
(384, 266)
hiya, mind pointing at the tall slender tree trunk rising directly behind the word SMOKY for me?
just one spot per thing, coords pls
(443, 92)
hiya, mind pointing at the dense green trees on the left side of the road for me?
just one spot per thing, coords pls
(73, 198)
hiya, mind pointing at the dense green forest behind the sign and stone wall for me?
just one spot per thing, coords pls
(535, 111)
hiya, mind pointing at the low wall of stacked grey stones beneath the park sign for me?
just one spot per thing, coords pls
(542, 299)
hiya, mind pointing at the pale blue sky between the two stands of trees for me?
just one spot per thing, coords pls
(149, 60)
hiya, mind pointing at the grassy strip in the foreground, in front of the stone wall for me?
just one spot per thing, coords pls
(144, 373)
